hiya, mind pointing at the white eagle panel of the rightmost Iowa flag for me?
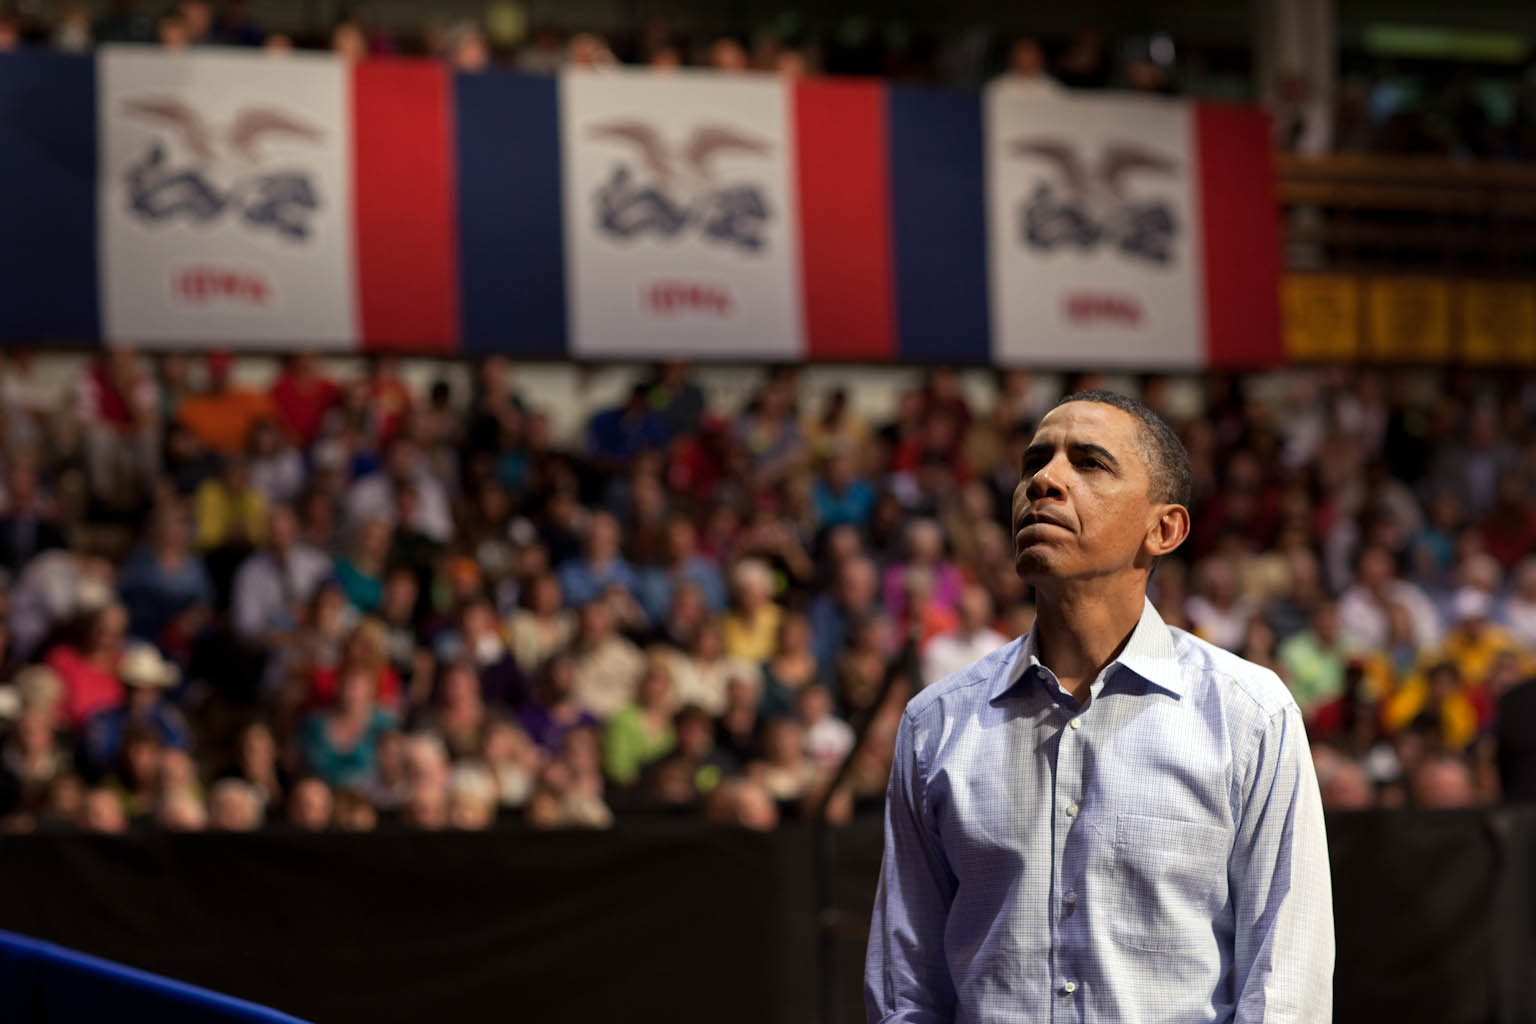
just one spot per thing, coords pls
(1094, 231)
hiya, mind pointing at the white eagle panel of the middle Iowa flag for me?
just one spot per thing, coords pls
(681, 216)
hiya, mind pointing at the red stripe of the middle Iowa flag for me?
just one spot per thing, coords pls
(846, 220)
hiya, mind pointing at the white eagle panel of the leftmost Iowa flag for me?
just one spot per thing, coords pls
(225, 199)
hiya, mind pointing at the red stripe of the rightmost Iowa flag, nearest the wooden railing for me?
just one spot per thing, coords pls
(1242, 237)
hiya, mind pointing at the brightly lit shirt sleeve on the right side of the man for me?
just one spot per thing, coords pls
(1282, 894)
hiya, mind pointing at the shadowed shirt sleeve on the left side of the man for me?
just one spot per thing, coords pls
(907, 977)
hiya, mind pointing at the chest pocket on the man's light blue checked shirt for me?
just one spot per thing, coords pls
(1171, 880)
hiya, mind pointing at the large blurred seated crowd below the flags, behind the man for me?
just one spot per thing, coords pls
(351, 603)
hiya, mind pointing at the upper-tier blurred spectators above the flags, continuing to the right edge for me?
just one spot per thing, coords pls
(1425, 108)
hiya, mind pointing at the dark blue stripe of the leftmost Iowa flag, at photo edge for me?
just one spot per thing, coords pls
(48, 165)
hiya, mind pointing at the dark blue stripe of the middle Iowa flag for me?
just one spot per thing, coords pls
(512, 246)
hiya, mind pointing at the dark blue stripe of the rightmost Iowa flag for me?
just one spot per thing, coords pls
(939, 220)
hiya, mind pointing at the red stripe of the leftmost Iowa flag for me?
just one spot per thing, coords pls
(403, 188)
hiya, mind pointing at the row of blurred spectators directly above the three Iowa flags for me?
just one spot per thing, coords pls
(793, 48)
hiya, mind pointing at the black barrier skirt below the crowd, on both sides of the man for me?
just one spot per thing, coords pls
(681, 922)
